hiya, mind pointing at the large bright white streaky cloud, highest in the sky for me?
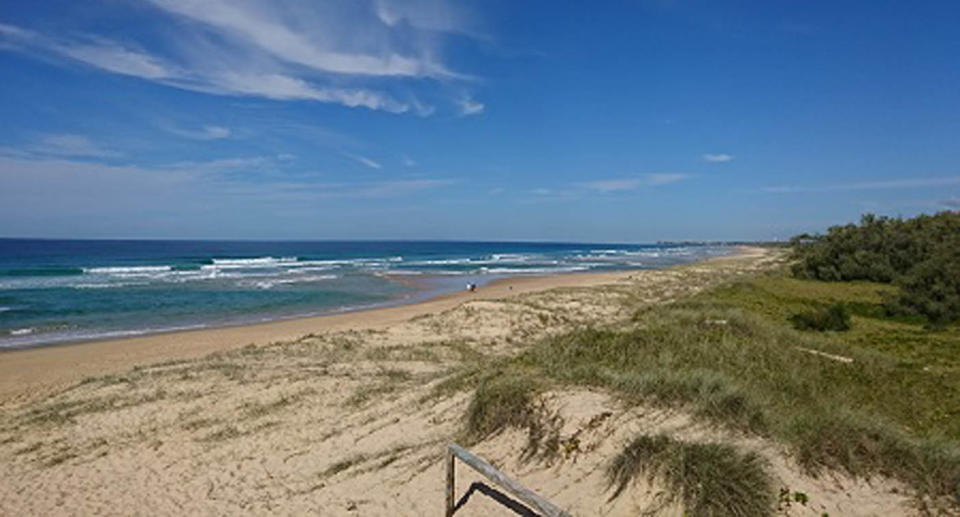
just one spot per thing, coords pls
(279, 50)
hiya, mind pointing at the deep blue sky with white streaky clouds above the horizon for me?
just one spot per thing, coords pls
(627, 121)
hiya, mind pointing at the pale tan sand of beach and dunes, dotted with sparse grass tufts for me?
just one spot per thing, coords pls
(334, 415)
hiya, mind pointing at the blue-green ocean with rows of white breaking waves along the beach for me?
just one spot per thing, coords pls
(60, 291)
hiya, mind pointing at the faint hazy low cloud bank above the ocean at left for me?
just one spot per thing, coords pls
(79, 186)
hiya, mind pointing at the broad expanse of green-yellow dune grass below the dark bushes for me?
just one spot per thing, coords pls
(877, 399)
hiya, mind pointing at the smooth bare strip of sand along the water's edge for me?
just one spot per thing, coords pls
(29, 372)
